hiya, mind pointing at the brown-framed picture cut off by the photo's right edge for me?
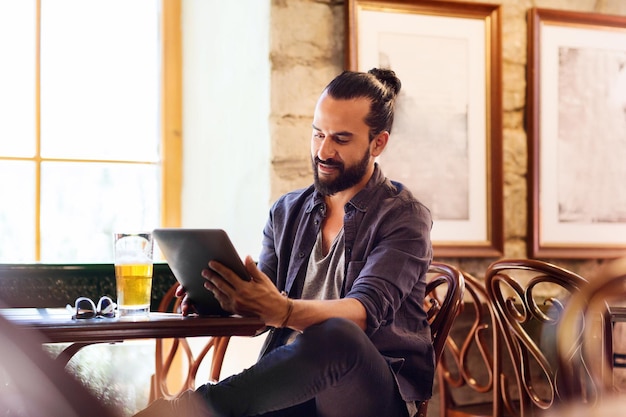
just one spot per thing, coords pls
(576, 135)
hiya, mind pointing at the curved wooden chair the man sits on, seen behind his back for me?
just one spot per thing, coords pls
(444, 295)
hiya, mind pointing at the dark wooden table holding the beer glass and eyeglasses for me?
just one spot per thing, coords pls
(55, 325)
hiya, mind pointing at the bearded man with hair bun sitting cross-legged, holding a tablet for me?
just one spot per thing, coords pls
(340, 280)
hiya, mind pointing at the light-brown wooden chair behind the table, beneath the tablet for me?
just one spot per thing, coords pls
(165, 357)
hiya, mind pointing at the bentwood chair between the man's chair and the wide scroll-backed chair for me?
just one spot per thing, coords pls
(469, 374)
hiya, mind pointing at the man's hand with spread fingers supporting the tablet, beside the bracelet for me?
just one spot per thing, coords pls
(258, 297)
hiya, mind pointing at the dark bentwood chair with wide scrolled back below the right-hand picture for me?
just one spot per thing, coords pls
(529, 297)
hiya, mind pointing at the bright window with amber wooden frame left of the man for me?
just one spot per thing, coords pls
(89, 125)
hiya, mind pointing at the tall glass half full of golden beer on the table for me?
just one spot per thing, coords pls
(133, 273)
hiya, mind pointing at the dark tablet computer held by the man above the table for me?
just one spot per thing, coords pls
(188, 252)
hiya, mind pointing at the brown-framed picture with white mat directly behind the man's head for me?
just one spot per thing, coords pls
(446, 143)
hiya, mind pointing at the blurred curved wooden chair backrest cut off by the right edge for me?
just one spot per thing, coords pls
(585, 336)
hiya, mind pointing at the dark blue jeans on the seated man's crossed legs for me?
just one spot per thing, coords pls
(331, 369)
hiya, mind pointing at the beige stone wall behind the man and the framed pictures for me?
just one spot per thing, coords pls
(307, 50)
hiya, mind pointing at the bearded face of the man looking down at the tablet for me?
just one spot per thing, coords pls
(340, 147)
